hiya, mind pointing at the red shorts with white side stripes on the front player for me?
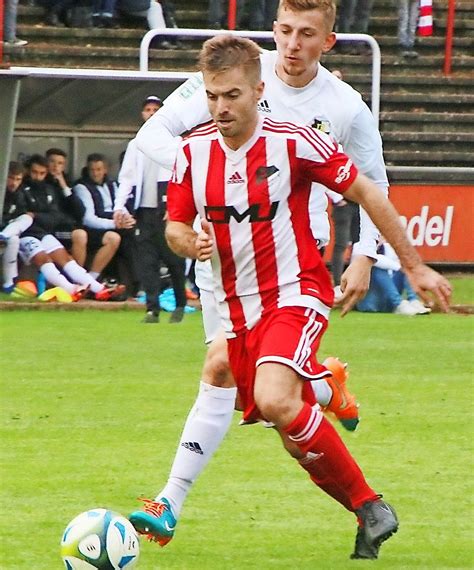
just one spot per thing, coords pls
(290, 336)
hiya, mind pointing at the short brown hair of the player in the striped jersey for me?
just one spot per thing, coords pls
(224, 52)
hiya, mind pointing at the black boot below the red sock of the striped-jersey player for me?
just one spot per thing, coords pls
(379, 522)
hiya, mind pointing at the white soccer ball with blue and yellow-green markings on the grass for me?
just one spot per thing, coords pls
(102, 539)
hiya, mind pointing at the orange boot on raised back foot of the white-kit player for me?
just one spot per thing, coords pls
(343, 404)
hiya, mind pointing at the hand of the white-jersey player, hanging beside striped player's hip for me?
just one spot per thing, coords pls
(355, 282)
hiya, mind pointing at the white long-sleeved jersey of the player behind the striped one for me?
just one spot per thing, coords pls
(326, 103)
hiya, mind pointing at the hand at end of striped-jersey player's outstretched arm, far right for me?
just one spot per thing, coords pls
(432, 287)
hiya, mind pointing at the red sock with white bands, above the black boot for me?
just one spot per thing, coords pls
(312, 432)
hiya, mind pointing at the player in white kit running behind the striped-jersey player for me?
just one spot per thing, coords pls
(303, 32)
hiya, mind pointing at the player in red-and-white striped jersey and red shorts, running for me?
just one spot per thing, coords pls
(249, 179)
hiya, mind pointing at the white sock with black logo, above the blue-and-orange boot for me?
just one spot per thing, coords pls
(205, 428)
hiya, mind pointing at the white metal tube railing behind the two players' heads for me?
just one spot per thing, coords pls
(191, 33)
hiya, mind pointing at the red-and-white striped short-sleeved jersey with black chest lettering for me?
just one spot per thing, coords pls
(256, 199)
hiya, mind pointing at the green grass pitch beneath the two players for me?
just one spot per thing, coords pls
(93, 403)
